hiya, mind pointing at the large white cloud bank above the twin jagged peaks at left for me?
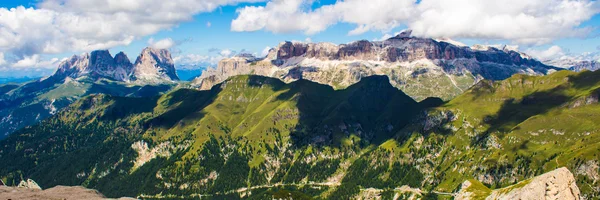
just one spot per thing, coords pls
(58, 26)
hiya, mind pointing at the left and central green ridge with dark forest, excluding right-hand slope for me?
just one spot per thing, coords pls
(251, 130)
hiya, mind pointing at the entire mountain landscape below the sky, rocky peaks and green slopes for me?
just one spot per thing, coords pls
(407, 117)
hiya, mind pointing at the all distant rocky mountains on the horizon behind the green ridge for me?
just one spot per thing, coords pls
(421, 67)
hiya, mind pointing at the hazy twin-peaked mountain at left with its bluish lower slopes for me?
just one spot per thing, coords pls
(95, 73)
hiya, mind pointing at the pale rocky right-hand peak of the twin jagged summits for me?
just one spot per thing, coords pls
(154, 65)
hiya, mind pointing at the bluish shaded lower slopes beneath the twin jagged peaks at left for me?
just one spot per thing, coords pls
(34, 101)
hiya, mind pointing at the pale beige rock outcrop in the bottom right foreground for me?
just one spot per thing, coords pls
(557, 184)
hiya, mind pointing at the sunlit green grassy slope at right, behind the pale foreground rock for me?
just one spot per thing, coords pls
(502, 132)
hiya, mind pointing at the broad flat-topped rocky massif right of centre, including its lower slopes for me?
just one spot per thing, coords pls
(421, 67)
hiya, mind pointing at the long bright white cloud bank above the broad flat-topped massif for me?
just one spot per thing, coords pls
(520, 21)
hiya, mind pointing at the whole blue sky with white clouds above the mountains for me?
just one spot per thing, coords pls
(544, 34)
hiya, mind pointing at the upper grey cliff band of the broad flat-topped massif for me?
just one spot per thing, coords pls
(403, 48)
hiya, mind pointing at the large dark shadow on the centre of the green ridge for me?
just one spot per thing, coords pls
(365, 113)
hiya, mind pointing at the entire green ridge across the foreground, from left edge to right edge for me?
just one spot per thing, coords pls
(257, 137)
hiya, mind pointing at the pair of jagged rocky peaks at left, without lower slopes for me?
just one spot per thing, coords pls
(151, 66)
